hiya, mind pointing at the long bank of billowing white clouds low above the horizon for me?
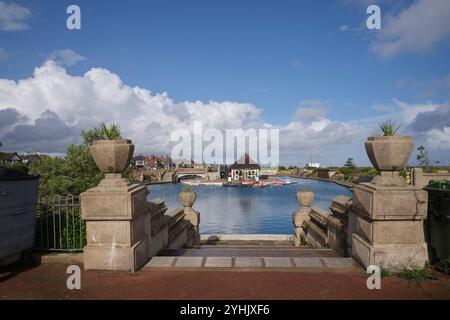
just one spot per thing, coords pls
(47, 111)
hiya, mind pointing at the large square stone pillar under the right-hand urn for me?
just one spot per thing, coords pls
(387, 224)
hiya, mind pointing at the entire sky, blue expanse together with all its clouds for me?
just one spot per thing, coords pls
(310, 69)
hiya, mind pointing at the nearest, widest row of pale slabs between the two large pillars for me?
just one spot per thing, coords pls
(247, 262)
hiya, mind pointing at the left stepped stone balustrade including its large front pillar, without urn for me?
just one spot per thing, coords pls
(124, 229)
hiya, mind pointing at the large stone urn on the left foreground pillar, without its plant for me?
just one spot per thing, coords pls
(112, 156)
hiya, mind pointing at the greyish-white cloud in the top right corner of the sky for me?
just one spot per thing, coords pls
(418, 28)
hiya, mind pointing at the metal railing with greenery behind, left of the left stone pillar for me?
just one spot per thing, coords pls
(59, 226)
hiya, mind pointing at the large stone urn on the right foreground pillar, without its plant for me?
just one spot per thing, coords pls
(389, 153)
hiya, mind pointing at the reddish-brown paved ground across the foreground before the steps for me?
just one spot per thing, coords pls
(49, 282)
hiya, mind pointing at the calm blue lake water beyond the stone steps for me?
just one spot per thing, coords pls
(249, 210)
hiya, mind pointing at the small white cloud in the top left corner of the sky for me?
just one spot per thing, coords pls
(13, 16)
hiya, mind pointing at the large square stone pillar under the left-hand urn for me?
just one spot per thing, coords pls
(118, 225)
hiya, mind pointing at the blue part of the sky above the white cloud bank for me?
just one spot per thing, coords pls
(278, 56)
